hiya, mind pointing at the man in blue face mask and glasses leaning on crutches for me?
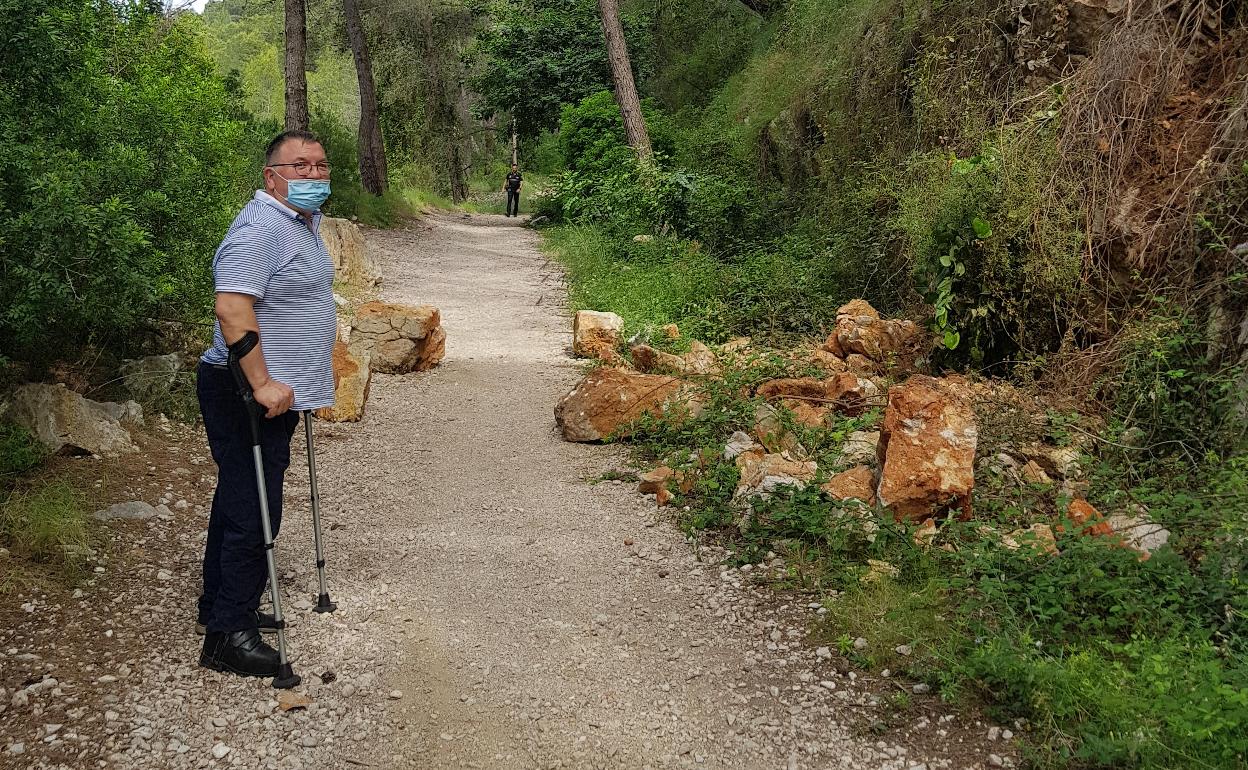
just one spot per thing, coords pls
(274, 278)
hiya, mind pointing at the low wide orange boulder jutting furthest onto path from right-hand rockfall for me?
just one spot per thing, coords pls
(610, 399)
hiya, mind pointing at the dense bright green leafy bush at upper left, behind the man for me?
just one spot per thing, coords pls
(107, 219)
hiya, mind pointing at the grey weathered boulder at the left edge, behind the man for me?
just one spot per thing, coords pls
(63, 420)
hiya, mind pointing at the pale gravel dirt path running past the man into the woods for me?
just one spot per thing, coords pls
(496, 610)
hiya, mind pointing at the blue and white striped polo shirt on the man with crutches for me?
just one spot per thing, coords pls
(271, 255)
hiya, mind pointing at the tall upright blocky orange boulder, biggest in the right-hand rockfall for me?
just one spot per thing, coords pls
(928, 449)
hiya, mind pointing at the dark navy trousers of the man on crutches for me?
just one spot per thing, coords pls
(235, 570)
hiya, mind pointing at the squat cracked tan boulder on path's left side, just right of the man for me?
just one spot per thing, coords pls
(399, 339)
